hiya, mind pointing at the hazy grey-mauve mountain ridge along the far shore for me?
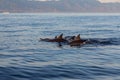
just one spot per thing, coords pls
(58, 6)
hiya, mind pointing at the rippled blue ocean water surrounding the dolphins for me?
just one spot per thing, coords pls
(24, 57)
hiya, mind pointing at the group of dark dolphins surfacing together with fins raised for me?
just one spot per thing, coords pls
(70, 40)
